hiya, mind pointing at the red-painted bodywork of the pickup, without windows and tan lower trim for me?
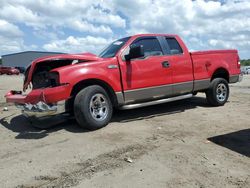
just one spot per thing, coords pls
(131, 75)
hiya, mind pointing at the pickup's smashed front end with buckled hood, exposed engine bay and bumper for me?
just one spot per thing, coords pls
(48, 96)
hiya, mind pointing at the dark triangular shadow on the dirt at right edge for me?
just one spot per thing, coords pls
(238, 141)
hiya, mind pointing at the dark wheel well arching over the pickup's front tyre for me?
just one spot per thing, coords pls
(82, 84)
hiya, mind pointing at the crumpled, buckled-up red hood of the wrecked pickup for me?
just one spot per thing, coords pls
(82, 57)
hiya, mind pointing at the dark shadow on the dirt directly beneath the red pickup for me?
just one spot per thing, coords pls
(19, 124)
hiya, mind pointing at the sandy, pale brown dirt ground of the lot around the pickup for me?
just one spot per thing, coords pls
(179, 144)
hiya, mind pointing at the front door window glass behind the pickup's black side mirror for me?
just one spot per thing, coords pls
(151, 46)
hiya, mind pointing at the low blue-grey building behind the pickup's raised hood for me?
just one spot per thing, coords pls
(23, 59)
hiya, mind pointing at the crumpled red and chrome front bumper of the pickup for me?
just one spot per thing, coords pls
(48, 104)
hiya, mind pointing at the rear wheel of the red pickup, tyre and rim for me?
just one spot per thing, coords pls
(218, 92)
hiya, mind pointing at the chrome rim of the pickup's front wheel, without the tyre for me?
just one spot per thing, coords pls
(98, 107)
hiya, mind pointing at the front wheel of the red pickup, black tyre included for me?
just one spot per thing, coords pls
(93, 108)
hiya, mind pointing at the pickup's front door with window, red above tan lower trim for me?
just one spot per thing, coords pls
(149, 77)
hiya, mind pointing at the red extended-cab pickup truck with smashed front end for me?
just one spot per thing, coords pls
(131, 72)
